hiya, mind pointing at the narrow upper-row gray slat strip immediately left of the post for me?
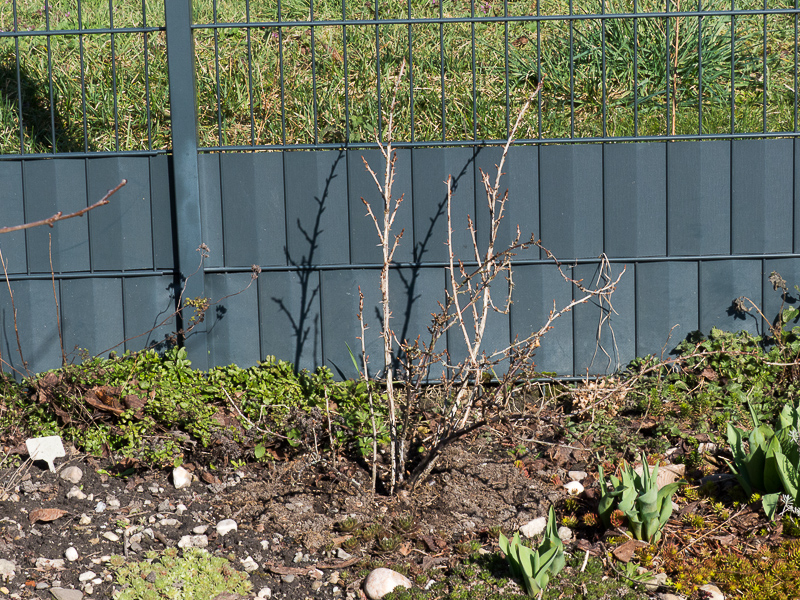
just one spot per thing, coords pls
(161, 206)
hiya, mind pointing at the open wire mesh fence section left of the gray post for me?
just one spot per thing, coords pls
(83, 77)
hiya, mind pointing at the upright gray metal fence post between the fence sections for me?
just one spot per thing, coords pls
(183, 112)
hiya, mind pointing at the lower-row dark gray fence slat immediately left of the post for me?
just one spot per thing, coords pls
(148, 302)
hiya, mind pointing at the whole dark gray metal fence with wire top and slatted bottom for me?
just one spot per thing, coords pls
(242, 124)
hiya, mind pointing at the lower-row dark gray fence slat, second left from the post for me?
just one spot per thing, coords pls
(91, 315)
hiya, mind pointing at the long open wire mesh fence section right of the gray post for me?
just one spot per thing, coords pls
(618, 71)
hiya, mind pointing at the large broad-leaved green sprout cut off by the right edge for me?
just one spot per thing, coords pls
(771, 464)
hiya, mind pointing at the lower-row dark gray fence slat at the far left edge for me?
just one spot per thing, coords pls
(37, 325)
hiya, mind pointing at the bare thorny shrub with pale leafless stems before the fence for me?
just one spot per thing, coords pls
(481, 379)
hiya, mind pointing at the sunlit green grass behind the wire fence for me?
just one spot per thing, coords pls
(231, 62)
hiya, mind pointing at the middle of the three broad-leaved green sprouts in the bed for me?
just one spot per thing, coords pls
(646, 507)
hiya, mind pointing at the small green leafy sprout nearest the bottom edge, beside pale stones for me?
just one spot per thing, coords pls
(535, 567)
